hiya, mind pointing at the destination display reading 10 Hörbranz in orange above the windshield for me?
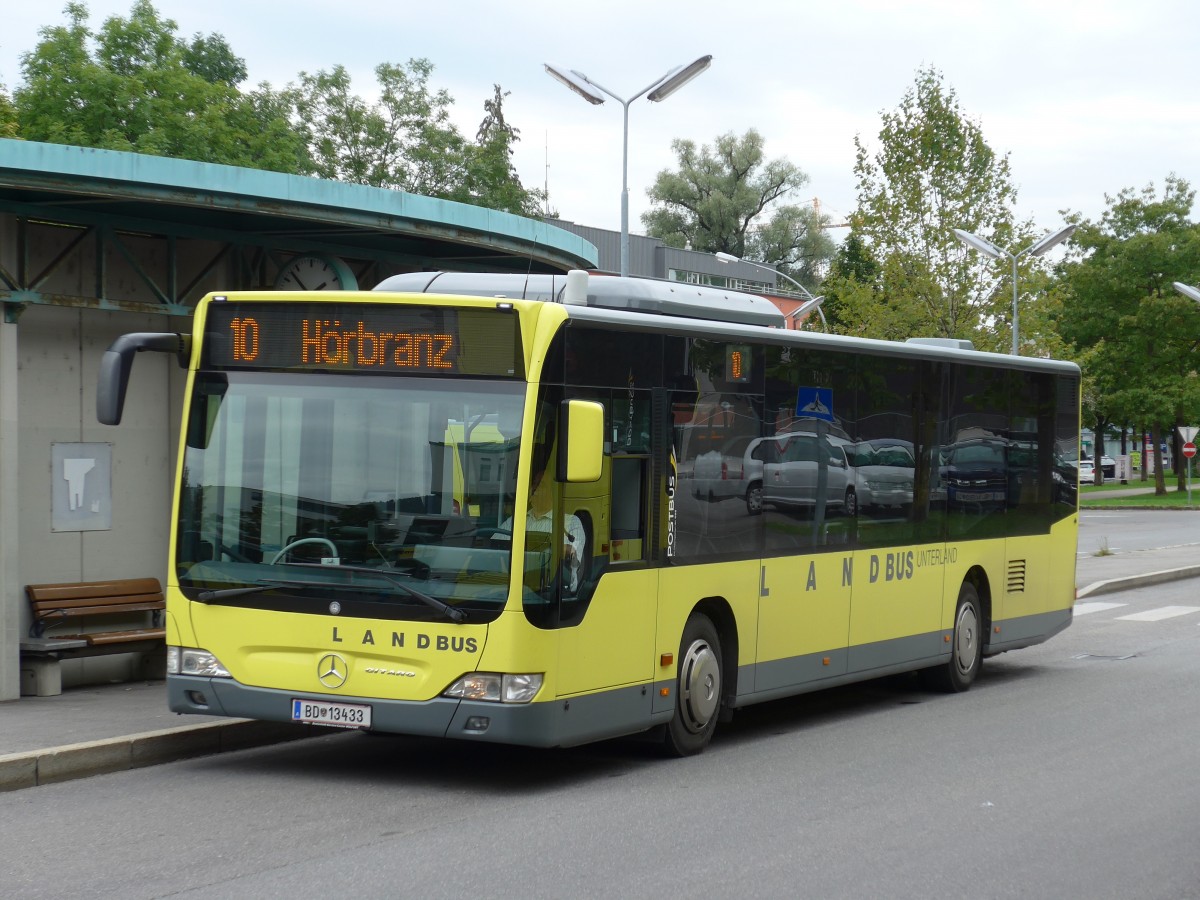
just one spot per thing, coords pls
(380, 339)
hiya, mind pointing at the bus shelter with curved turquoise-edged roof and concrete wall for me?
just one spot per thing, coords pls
(95, 244)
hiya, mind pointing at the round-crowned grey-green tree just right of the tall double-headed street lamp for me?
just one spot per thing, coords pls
(728, 199)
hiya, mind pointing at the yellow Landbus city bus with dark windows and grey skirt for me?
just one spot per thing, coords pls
(467, 506)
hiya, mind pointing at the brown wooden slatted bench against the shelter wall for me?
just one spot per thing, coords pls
(89, 611)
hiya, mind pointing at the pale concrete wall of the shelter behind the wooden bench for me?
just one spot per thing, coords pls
(58, 356)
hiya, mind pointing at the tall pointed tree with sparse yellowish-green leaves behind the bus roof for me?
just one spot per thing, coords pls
(933, 173)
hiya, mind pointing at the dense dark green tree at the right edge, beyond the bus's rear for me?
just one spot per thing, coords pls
(1135, 337)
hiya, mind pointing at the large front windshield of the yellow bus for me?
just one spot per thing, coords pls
(386, 495)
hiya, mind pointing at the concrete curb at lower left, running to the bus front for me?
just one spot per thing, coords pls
(135, 752)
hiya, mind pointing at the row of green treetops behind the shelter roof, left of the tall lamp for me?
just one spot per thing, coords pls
(137, 86)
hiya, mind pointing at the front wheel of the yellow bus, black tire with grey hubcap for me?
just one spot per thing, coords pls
(699, 688)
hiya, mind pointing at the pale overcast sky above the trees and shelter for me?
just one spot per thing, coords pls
(1087, 97)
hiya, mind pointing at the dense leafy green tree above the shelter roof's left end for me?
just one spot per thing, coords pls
(136, 86)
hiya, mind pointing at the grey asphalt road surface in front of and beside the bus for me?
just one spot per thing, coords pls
(1069, 771)
